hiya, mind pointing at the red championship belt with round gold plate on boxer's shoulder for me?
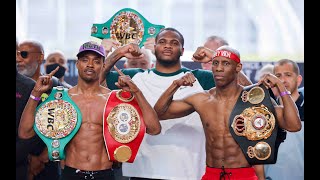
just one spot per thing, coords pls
(123, 126)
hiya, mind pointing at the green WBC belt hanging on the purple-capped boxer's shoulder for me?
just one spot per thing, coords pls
(57, 120)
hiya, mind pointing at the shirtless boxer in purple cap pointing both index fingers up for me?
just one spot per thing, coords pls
(86, 154)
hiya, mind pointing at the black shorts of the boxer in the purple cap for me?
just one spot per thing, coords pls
(69, 173)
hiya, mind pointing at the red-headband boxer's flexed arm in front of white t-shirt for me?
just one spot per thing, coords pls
(167, 108)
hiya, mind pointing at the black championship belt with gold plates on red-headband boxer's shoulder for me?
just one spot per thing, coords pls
(253, 125)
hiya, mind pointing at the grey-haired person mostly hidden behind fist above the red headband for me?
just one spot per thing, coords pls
(213, 42)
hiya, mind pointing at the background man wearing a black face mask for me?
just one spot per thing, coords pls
(54, 59)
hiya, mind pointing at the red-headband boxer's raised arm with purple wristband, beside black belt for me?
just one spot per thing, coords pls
(287, 114)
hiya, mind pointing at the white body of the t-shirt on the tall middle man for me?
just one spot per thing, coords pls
(178, 152)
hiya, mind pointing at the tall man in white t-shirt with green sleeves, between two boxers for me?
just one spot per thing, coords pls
(171, 154)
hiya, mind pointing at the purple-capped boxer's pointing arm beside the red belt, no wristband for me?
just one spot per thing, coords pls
(149, 115)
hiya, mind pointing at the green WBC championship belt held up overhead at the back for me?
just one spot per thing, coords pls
(126, 26)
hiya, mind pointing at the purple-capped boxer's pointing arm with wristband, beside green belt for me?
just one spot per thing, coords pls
(43, 84)
